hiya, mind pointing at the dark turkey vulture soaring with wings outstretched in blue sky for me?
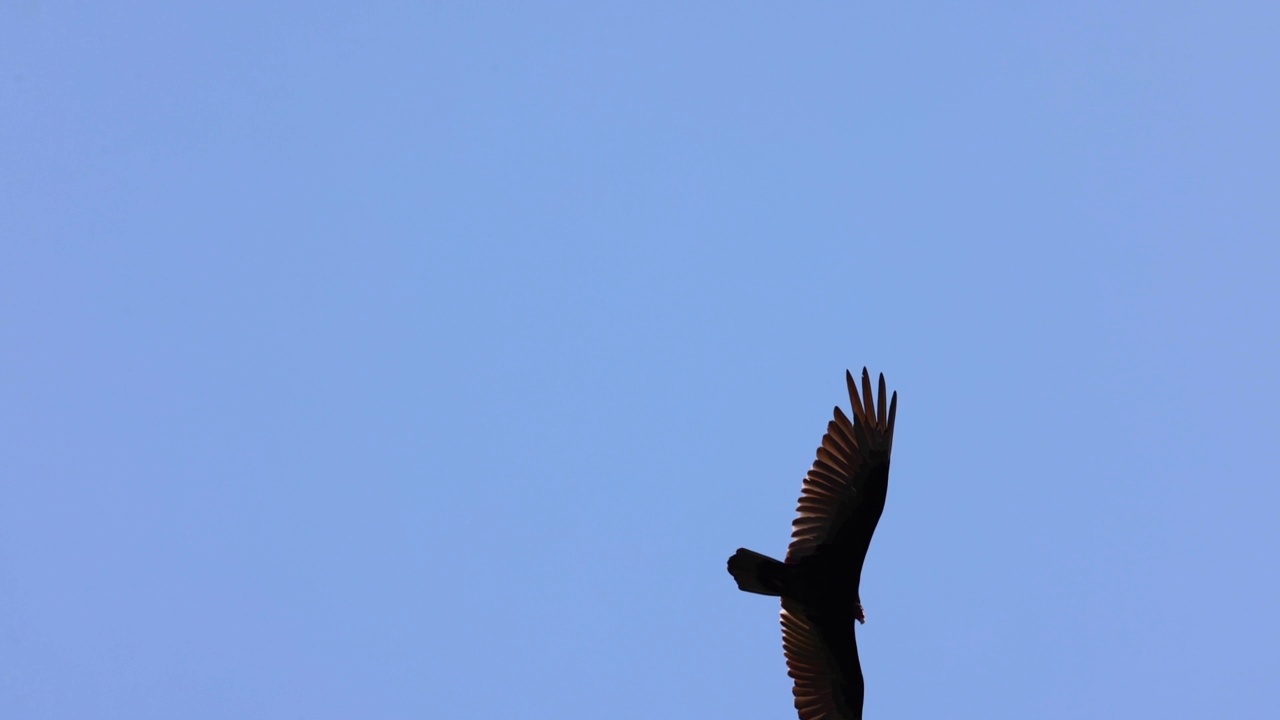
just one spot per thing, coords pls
(840, 504)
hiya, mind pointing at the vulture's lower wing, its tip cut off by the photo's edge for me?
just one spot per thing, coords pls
(822, 660)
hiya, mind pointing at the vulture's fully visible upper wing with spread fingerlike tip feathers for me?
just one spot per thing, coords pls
(833, 508)
